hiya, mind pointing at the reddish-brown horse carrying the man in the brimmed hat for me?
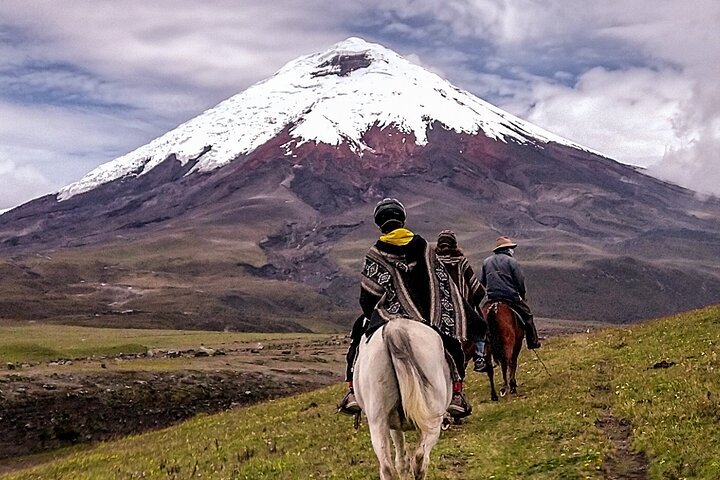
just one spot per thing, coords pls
(506, 336)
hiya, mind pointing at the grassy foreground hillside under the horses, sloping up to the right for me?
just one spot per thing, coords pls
(615, 403)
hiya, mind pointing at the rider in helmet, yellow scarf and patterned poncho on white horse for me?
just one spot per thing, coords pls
(402, 276)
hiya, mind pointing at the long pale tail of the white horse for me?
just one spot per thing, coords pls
(412, 380)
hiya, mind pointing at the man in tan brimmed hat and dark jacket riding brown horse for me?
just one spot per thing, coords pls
(503, 280)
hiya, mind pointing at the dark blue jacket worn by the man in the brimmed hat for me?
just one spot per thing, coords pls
(502, 277)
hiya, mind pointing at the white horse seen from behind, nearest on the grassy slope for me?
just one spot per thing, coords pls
(402, 381)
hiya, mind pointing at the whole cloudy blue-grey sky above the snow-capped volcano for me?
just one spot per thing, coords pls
(83, 82)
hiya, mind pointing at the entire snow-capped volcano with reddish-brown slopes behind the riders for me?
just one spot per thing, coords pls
(261, 207)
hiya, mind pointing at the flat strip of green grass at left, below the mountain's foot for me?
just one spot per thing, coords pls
(37, 342)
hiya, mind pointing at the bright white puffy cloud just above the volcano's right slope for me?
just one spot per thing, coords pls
(626, 114)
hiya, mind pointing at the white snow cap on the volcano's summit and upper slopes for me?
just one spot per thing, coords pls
(330, 97)
